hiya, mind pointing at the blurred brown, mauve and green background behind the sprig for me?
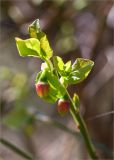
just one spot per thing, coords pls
(75, 28)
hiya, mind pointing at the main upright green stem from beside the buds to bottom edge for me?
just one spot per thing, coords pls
(77, 117)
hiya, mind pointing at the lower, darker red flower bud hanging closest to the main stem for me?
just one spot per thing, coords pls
(63, 106)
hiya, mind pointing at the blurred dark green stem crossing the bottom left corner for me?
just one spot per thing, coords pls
(15, 149)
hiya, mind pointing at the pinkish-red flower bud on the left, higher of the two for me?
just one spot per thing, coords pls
(42, 89)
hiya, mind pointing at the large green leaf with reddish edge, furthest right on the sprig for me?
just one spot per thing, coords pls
(80, 70)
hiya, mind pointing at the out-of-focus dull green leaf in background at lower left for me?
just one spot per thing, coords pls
(16, 118)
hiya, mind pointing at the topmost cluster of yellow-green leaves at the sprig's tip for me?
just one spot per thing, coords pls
(37, 46)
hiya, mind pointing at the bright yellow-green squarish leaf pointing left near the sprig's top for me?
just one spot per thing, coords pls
(29, 47)
